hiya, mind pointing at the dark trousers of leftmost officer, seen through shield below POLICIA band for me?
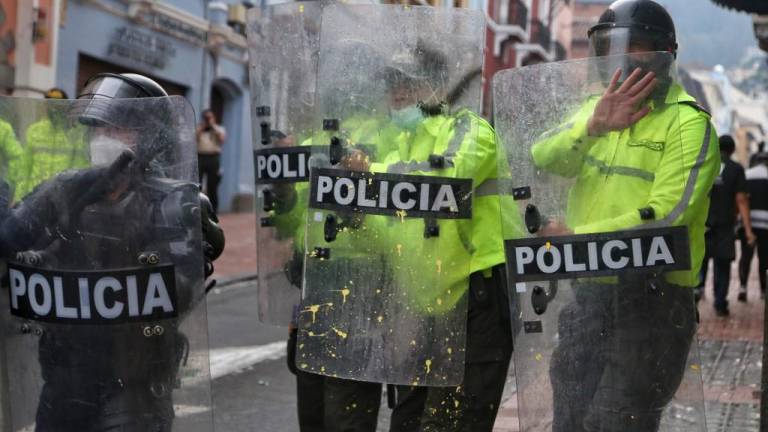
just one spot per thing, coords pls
(108, 389)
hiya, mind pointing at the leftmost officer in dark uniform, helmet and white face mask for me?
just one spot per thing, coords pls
(114, 364)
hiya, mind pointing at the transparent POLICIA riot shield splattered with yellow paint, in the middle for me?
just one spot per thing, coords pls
(389, 234)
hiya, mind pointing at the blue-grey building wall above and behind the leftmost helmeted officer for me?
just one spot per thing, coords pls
(89, 30)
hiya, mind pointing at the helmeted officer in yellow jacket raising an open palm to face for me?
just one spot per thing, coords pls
(642, 155)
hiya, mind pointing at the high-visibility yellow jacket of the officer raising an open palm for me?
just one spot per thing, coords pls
(666, 162)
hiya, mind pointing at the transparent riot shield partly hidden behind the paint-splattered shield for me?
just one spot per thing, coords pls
(284, 44)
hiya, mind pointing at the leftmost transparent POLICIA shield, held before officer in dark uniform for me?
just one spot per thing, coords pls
(105, 325)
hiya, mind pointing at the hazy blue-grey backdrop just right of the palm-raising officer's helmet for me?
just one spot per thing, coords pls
(709, 34)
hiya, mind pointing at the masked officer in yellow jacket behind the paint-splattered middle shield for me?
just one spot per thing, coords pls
(464, 145)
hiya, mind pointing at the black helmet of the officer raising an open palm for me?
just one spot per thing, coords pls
(643, 23)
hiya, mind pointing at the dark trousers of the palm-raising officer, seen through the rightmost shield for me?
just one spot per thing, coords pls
(621, 356)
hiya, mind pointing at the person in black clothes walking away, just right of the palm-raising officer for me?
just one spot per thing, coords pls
(729, 194)
